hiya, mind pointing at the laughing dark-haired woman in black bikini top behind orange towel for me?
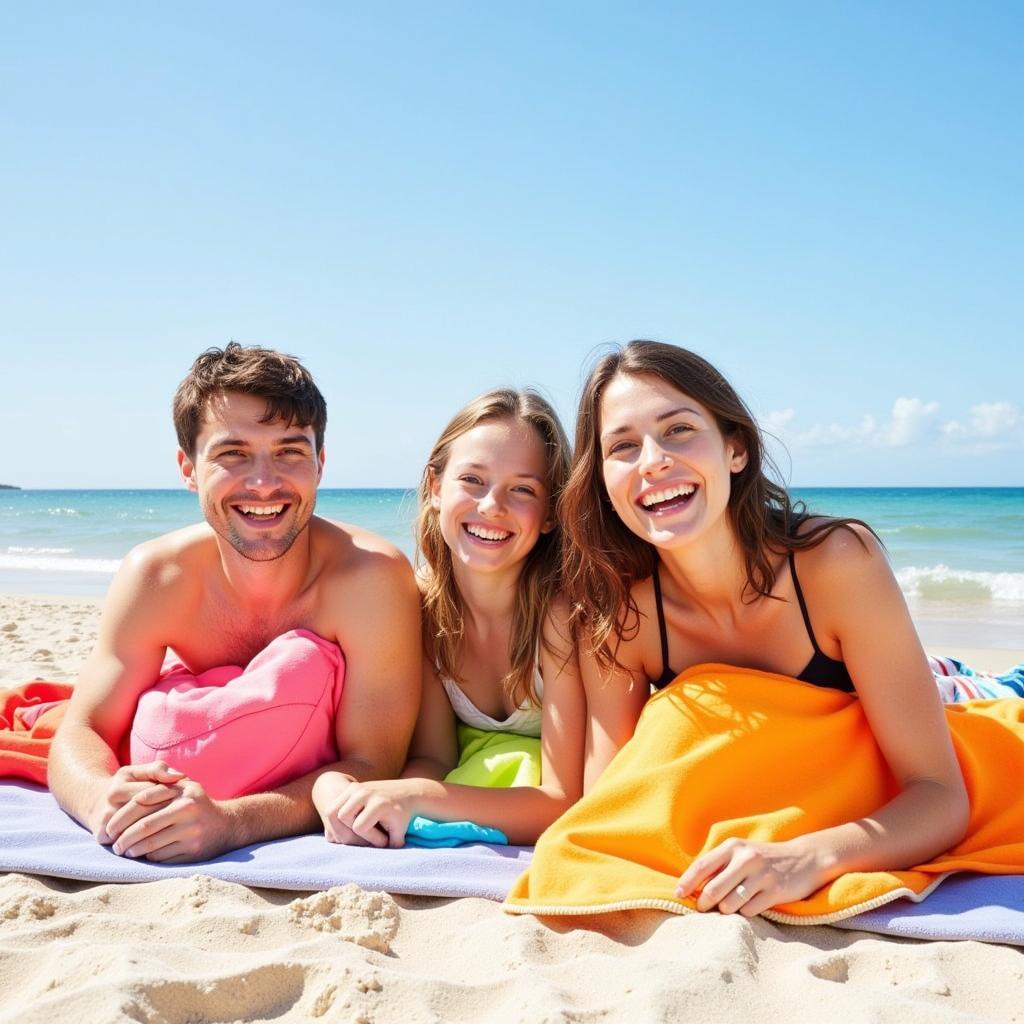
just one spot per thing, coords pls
(682, 551)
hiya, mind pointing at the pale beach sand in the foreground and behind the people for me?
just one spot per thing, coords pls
(204, 951)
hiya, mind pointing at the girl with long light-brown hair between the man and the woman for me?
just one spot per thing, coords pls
(498, 654)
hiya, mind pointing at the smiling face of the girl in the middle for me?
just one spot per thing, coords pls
(492, 499)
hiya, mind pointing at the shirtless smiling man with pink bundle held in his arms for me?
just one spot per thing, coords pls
(240, 619)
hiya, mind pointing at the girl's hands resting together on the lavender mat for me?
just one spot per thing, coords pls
(365, 814)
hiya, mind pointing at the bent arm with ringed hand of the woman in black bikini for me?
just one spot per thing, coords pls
(859, 605)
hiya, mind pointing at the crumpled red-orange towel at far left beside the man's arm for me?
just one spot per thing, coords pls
(29, 717)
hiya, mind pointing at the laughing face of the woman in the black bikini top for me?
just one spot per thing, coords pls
(666, 464)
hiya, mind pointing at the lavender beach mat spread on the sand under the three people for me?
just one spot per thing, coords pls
(37, 838)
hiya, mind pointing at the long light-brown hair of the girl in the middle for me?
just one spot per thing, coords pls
(443, 608)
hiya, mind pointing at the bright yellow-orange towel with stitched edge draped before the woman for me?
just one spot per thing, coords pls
(728, 752)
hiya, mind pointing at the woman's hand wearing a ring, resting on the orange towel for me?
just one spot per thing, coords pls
(744, 877)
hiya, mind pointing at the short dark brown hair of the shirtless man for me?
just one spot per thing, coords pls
(286, 386)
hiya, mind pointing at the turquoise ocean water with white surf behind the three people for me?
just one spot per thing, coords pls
(952, 548)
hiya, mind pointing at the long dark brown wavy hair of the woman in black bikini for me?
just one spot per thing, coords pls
(604, 560)
